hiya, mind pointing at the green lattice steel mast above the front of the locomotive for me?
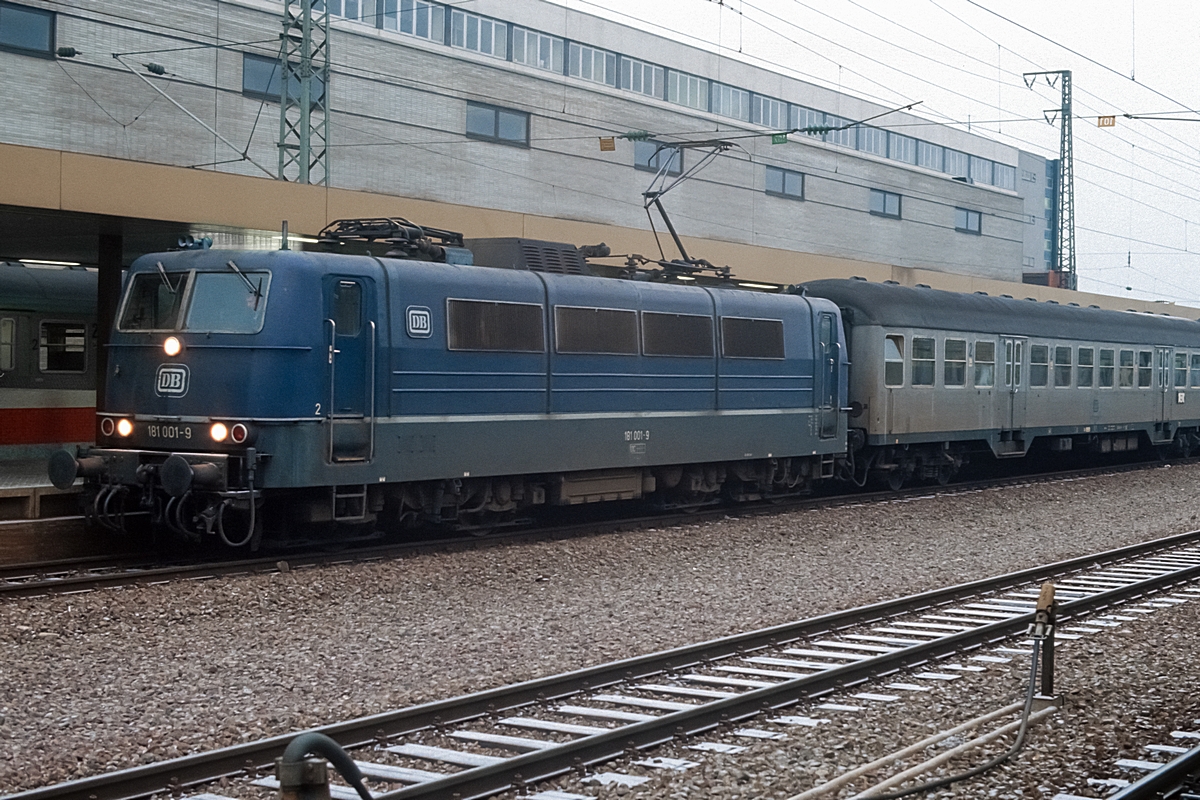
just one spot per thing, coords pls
(304, 93)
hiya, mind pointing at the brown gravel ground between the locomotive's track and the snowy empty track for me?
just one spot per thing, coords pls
(112, 679)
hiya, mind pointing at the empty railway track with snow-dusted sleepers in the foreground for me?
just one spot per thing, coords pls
(755, 684)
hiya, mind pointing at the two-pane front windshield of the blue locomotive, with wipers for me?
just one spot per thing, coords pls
(219, 303)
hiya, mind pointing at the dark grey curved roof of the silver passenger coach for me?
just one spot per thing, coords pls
(891, 305)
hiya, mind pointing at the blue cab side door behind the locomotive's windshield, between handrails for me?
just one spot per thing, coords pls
(351, 338)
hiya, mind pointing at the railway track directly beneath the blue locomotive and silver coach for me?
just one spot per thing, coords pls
(33, 580)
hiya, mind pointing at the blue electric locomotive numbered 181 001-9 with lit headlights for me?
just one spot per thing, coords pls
(266, 394)
